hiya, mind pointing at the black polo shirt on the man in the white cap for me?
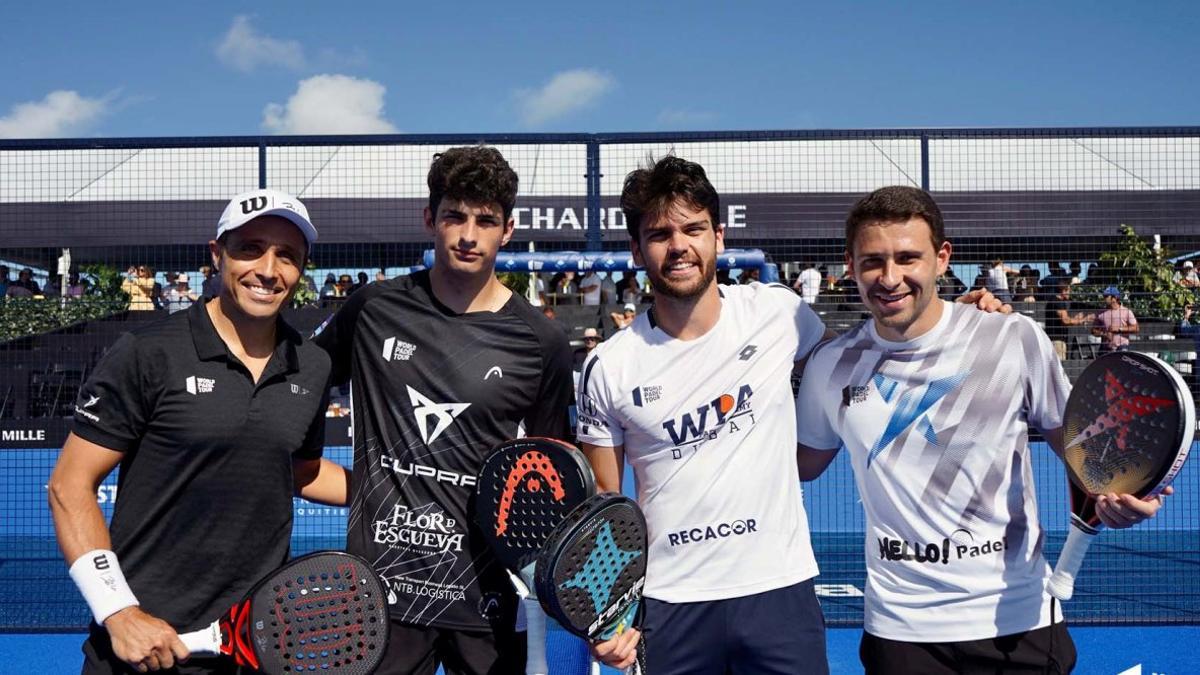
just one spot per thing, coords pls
(205, 494)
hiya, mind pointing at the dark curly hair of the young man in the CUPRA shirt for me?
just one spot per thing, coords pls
(475, 175)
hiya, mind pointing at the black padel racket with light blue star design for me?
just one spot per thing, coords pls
(591, 574)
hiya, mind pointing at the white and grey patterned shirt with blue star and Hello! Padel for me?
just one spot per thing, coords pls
(938, 433)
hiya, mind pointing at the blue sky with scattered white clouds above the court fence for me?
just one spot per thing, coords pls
(215, 69)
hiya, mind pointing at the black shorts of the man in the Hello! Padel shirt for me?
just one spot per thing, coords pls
(1048, 650)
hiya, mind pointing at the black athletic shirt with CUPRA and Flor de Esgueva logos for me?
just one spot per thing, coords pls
(433, 393)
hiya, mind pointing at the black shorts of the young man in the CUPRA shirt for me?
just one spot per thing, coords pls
(415, 650)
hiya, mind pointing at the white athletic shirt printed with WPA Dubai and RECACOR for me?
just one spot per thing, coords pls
(710, 429)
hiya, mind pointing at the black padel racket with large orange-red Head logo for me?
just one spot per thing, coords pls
(524, 491)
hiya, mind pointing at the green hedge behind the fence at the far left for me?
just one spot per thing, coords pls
(21, 318)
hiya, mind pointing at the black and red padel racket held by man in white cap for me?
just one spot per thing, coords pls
(321, 613)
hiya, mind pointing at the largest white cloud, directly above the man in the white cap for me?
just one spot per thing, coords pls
(331, 104)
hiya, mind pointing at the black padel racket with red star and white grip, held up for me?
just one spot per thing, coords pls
(1127, 429)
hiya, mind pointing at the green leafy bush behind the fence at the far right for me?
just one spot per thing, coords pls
(1147, 278)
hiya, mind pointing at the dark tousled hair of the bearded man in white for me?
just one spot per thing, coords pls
(650, 193)
